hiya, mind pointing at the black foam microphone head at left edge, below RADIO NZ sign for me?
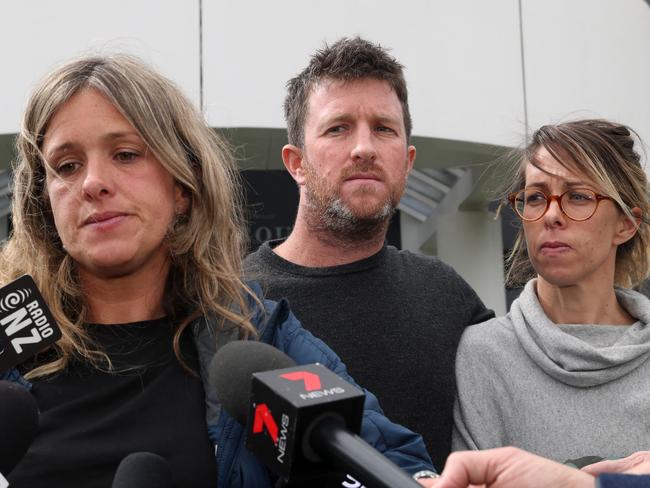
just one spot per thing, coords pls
(18, 424)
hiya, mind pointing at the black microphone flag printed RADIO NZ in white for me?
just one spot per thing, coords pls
(26, 324)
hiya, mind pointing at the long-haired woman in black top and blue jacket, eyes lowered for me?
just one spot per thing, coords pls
(127, 213)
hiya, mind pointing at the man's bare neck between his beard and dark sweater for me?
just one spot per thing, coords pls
(322, 248)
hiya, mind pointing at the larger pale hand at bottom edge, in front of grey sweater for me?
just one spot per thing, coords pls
(508, 467)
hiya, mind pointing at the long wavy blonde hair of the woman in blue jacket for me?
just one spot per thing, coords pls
(206, 244)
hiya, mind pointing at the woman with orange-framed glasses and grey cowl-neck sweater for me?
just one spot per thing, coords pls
(565, 373)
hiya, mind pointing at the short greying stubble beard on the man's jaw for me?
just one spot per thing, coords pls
(328, 212)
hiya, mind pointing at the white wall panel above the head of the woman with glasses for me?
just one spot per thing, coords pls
(588, 58)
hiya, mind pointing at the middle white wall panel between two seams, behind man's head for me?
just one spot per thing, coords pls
(462, 59)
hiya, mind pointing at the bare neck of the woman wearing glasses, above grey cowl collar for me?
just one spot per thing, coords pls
(581, 304)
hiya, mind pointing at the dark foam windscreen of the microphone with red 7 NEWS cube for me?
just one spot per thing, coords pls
(232, 369)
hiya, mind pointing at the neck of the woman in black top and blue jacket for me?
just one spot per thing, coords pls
(134, 297)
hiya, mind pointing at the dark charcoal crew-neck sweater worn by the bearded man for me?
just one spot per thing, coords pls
(394, 318)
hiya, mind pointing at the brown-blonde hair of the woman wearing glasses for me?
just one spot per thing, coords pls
(605, 153)
